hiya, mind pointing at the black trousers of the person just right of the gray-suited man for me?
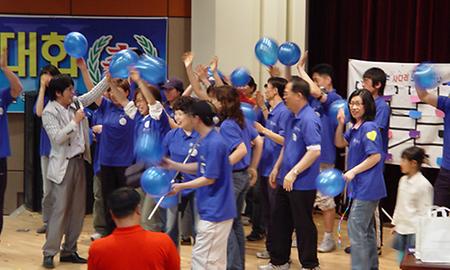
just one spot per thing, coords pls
(112, 178)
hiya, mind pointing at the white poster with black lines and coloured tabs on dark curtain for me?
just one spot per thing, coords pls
(412, 122)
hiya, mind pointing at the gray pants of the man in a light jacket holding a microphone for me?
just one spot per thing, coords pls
(68, 210)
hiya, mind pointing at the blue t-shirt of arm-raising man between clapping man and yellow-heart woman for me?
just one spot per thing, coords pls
(328, 149)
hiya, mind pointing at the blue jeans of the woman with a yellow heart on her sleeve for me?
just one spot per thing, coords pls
(361, 231)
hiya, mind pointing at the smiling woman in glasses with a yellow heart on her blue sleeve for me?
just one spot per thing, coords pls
(365, 174)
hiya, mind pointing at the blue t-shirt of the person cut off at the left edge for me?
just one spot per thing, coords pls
(5, 100)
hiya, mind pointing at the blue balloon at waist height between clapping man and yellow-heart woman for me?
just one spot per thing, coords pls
(330, 182)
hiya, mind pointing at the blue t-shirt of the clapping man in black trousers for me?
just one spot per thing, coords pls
(303, 130)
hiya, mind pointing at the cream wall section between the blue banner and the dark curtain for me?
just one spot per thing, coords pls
(231, 28)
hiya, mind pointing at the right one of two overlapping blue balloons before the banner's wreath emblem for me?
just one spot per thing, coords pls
(152, 69)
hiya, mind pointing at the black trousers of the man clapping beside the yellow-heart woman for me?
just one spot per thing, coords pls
(293, 210)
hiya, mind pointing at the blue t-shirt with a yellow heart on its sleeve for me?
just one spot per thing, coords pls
(363, 142)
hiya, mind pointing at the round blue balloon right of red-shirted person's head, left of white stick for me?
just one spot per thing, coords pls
(155, 181)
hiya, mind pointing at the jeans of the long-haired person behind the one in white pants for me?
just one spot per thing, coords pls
(236, 239)
